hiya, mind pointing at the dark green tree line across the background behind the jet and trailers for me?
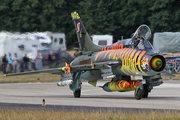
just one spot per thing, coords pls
(114, 17)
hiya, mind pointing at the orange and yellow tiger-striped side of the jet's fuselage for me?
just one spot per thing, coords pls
(132, 60)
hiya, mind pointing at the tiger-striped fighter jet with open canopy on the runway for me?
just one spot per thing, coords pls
(119, 63)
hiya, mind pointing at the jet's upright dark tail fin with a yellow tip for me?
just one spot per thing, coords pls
(85, 42)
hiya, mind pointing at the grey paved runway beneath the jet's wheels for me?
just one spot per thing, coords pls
(30, 96)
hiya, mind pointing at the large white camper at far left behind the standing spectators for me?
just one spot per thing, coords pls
(17, 43)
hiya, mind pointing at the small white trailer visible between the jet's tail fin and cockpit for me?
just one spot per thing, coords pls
(102, 40)
